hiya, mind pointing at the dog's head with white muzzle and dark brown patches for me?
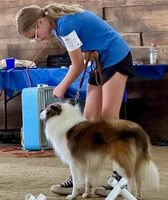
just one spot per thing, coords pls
(66, 110)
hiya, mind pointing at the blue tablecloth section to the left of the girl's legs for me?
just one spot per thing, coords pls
(18, 79)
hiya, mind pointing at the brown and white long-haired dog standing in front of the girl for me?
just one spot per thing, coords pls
(84, 145)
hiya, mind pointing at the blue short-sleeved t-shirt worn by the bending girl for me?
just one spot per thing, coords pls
(95, 34)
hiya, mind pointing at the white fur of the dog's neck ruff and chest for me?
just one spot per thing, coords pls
(56, 129)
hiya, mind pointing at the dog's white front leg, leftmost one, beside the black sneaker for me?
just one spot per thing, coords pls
(76, 184)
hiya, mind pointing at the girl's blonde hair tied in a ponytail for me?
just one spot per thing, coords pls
(26, 18)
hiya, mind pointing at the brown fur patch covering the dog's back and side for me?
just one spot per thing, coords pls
(115, 139)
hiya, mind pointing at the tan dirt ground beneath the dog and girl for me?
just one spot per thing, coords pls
(22, 175)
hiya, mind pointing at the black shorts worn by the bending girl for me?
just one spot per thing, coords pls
(124, 67)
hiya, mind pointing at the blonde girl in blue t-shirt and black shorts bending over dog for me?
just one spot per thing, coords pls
(81, 31)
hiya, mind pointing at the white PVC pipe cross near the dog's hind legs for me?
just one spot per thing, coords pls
(119, 188)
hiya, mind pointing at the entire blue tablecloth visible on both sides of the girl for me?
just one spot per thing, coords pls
(17, 79)
